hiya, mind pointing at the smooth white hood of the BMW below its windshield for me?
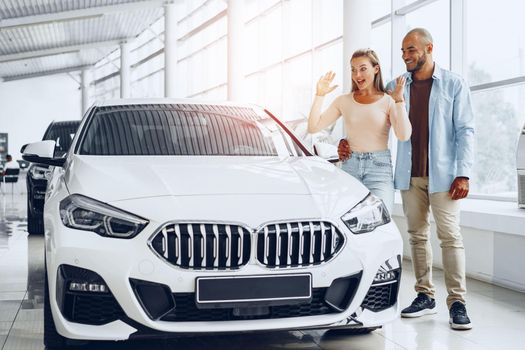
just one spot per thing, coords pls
(111, 179)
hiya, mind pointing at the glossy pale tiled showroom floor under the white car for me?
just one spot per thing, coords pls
(498, 314)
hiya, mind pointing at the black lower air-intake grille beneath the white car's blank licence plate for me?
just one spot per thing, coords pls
(187, 311)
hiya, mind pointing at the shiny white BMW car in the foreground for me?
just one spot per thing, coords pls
(170, 216)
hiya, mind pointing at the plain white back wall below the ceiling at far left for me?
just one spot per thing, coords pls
(28, 106)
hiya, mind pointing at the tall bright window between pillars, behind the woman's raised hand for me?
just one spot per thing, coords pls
(289, 45)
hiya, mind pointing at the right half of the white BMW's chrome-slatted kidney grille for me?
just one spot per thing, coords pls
(297, 243)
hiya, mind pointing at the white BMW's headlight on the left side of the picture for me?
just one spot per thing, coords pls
(83, 213)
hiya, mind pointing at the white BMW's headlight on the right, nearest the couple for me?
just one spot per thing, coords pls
(368, 214)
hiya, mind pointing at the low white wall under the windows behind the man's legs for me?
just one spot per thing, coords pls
(494, 242)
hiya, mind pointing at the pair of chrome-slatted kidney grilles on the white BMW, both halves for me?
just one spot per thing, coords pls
(213, 246)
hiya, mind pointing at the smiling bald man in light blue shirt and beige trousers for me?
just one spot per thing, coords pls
(432, 171)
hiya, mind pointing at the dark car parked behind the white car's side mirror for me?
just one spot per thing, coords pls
(62, 133)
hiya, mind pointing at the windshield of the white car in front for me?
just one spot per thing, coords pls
(168, 130)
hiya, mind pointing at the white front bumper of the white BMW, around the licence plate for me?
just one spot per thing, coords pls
(120, 262)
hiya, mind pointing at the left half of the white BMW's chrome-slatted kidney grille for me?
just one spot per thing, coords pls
(203, 245)
